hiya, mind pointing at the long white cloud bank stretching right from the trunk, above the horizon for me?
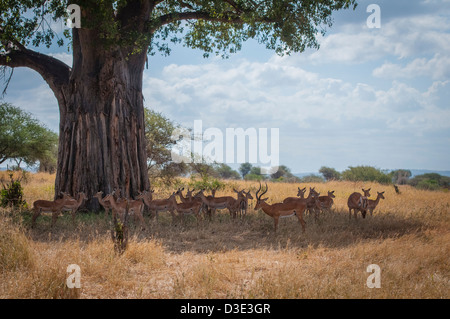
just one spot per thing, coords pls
(276, 93)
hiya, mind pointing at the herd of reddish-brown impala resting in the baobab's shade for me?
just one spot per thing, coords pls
(195, 204)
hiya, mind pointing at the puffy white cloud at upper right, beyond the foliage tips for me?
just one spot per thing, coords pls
(401, 37)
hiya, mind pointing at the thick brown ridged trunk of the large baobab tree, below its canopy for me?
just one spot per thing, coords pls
(102, 138)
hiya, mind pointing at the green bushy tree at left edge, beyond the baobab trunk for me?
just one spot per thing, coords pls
(22, 137)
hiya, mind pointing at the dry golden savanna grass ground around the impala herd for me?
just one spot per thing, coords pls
(408, 238)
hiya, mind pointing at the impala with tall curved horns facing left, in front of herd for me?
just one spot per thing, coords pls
(281, 210)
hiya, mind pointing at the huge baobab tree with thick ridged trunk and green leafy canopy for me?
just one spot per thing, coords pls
(102, 138)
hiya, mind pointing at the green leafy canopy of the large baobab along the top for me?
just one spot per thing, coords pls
(216, 26)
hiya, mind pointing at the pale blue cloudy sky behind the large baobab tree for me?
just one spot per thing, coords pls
(368, 96)
